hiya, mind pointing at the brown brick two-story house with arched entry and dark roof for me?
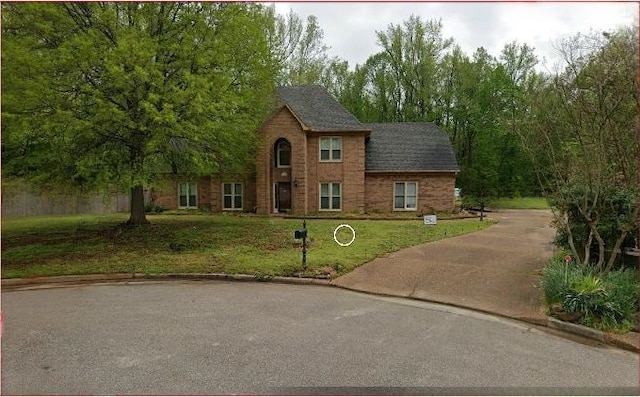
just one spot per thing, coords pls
(315, 156)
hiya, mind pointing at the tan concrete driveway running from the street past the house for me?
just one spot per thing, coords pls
(494, 270)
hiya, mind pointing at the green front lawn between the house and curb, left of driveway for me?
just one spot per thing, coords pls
(94, 244)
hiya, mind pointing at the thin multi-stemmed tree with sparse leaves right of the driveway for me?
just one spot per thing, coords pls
(582, 138)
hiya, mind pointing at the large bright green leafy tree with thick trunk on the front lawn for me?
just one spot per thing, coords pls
(112, 94)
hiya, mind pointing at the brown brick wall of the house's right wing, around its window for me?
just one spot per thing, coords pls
(435, 191)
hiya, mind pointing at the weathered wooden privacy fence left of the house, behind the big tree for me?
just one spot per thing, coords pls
(19, 201)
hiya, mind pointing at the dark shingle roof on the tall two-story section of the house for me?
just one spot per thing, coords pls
(317, 109)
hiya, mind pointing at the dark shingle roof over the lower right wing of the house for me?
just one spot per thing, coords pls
(409, 147)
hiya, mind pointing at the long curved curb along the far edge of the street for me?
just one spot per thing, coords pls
(61, 281)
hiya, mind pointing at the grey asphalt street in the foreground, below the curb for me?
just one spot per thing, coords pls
(264, 338)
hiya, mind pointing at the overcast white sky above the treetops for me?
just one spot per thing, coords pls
(349, 27)
